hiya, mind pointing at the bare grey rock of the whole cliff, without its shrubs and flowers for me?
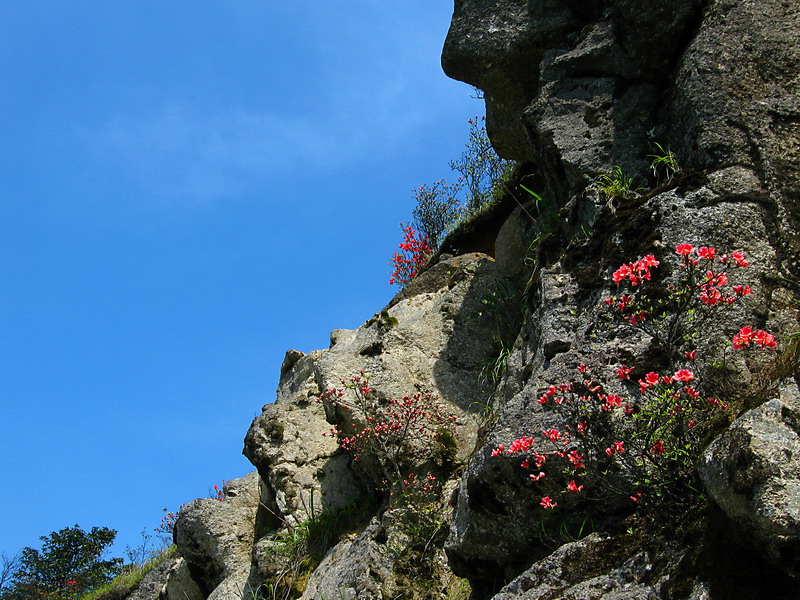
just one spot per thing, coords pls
(574, 88)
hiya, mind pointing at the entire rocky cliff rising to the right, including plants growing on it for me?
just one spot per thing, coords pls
(640, 126)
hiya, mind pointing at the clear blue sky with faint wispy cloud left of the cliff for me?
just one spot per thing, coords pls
(189, 189)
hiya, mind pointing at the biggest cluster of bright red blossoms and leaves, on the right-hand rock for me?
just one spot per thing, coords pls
(661, 418)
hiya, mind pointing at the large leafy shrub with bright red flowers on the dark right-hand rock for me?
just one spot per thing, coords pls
(642, 440)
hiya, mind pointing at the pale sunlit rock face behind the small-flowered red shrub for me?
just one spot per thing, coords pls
(431, 339)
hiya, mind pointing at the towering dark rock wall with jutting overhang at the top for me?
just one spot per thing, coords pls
(580, 87)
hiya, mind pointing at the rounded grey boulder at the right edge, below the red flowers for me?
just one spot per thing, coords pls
(752, 472)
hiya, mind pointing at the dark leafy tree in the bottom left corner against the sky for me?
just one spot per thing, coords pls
(69, 565)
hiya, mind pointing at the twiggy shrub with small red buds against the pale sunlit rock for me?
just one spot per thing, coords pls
(394, 437)
